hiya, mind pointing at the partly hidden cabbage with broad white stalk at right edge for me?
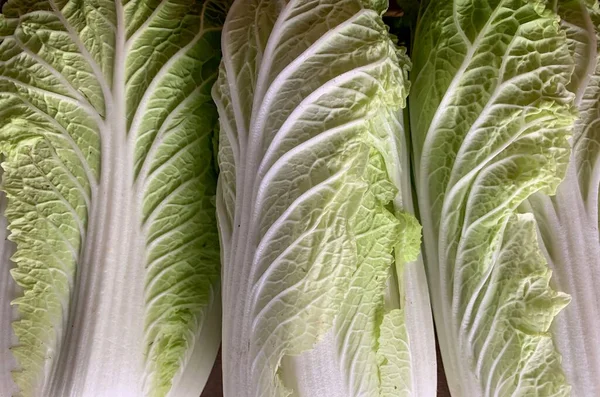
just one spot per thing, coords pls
(568, 222)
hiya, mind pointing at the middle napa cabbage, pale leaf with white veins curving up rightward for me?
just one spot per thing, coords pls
(323, 293)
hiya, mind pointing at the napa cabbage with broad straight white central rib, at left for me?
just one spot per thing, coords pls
(106, 126)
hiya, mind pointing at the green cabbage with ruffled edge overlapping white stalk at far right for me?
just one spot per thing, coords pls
(490, 122)
